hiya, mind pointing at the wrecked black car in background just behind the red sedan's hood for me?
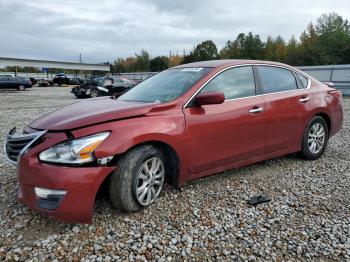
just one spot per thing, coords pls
(103, 86)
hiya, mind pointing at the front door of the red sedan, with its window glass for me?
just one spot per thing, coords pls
(226, 133)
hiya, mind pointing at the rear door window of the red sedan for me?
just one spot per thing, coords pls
(275, 79)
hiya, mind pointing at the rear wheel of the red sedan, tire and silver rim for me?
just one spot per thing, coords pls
(314, 143)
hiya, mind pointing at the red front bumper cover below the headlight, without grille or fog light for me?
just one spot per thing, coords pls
(80, 183)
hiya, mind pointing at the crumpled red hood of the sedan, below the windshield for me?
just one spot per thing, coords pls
(89, 112)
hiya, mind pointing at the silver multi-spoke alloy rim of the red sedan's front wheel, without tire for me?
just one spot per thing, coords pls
(149, 181)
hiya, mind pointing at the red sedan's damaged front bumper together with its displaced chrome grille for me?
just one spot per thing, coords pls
(65, 193)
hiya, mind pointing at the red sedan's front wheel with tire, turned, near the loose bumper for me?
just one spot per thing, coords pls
(130, 179)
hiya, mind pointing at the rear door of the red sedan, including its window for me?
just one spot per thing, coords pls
(286, 107)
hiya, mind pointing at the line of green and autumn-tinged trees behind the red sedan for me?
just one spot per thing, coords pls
(326, 42)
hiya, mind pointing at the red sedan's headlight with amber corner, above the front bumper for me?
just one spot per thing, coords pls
(77, 151)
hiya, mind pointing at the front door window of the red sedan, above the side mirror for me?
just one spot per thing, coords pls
(234, 83)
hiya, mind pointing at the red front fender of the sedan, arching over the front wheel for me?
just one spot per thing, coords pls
(140, 130)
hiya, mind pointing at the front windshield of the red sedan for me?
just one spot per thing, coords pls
(165, 86)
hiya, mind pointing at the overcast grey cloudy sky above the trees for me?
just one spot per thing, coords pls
(105, 29)
